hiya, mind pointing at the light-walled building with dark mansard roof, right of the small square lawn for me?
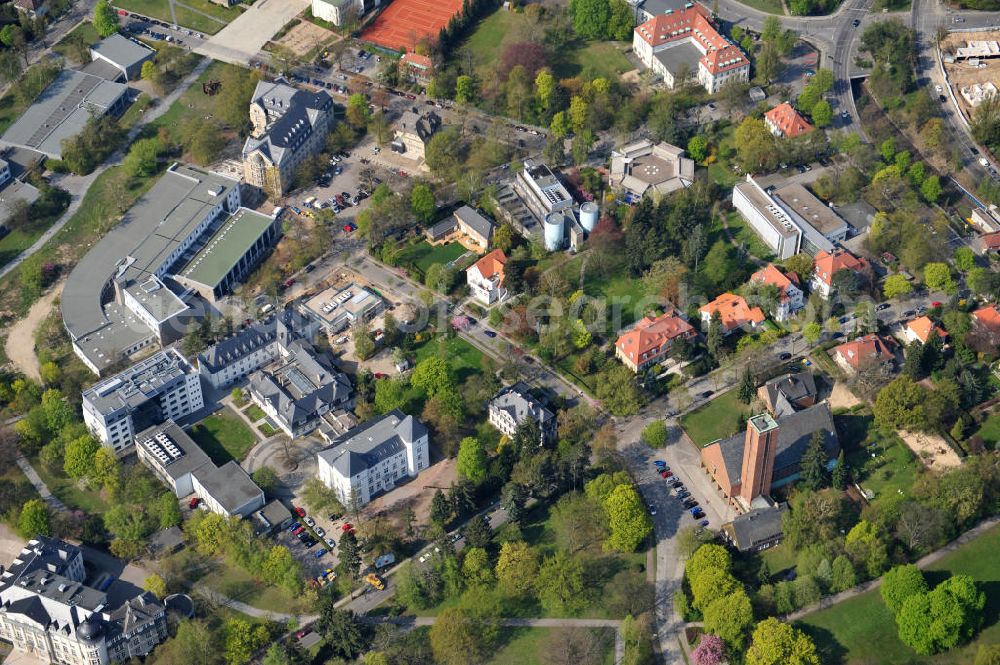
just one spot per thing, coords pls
(300, 387)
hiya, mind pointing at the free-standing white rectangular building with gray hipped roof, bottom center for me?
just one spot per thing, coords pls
(373, 457)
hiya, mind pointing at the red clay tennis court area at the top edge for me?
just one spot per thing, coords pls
(405, 22)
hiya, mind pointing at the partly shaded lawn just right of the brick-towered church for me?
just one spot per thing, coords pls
(881, 461)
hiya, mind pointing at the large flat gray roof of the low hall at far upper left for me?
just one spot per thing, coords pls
(62, 110)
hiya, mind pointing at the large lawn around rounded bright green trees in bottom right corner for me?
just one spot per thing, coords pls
(861, 630)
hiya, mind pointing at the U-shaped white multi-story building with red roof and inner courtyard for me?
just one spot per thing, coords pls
(685, 43)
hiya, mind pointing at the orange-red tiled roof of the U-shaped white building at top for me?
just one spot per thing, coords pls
(693, 23)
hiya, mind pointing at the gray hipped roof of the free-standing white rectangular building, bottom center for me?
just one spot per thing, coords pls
(373, 441)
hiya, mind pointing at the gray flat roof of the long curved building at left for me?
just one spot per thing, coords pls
(148, 233)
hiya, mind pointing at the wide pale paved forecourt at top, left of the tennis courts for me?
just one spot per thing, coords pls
(241, 41)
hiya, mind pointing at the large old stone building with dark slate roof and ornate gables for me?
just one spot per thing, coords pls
(289, 125)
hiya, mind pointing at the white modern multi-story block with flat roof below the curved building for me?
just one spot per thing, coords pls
(162, 387)
